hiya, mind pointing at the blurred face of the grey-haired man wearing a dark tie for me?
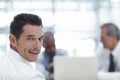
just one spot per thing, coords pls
(105, 39)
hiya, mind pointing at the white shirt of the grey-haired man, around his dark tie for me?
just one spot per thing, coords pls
(103, 59)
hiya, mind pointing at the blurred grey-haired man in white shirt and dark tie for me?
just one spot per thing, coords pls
(109, 57)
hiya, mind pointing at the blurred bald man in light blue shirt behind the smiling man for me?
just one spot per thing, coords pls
(45, 61)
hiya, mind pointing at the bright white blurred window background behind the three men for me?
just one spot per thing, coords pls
(75, 23)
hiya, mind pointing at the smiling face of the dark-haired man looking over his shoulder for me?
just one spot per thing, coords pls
(29, 43)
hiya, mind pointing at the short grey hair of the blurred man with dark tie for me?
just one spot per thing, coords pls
(112, 29)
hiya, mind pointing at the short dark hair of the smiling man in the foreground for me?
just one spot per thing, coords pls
(16, 26)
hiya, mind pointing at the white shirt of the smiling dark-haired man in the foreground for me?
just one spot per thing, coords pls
(14, 67)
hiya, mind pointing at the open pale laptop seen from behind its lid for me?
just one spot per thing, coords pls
(75, 68)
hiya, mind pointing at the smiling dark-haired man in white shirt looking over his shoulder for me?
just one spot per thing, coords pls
(25, 38)
